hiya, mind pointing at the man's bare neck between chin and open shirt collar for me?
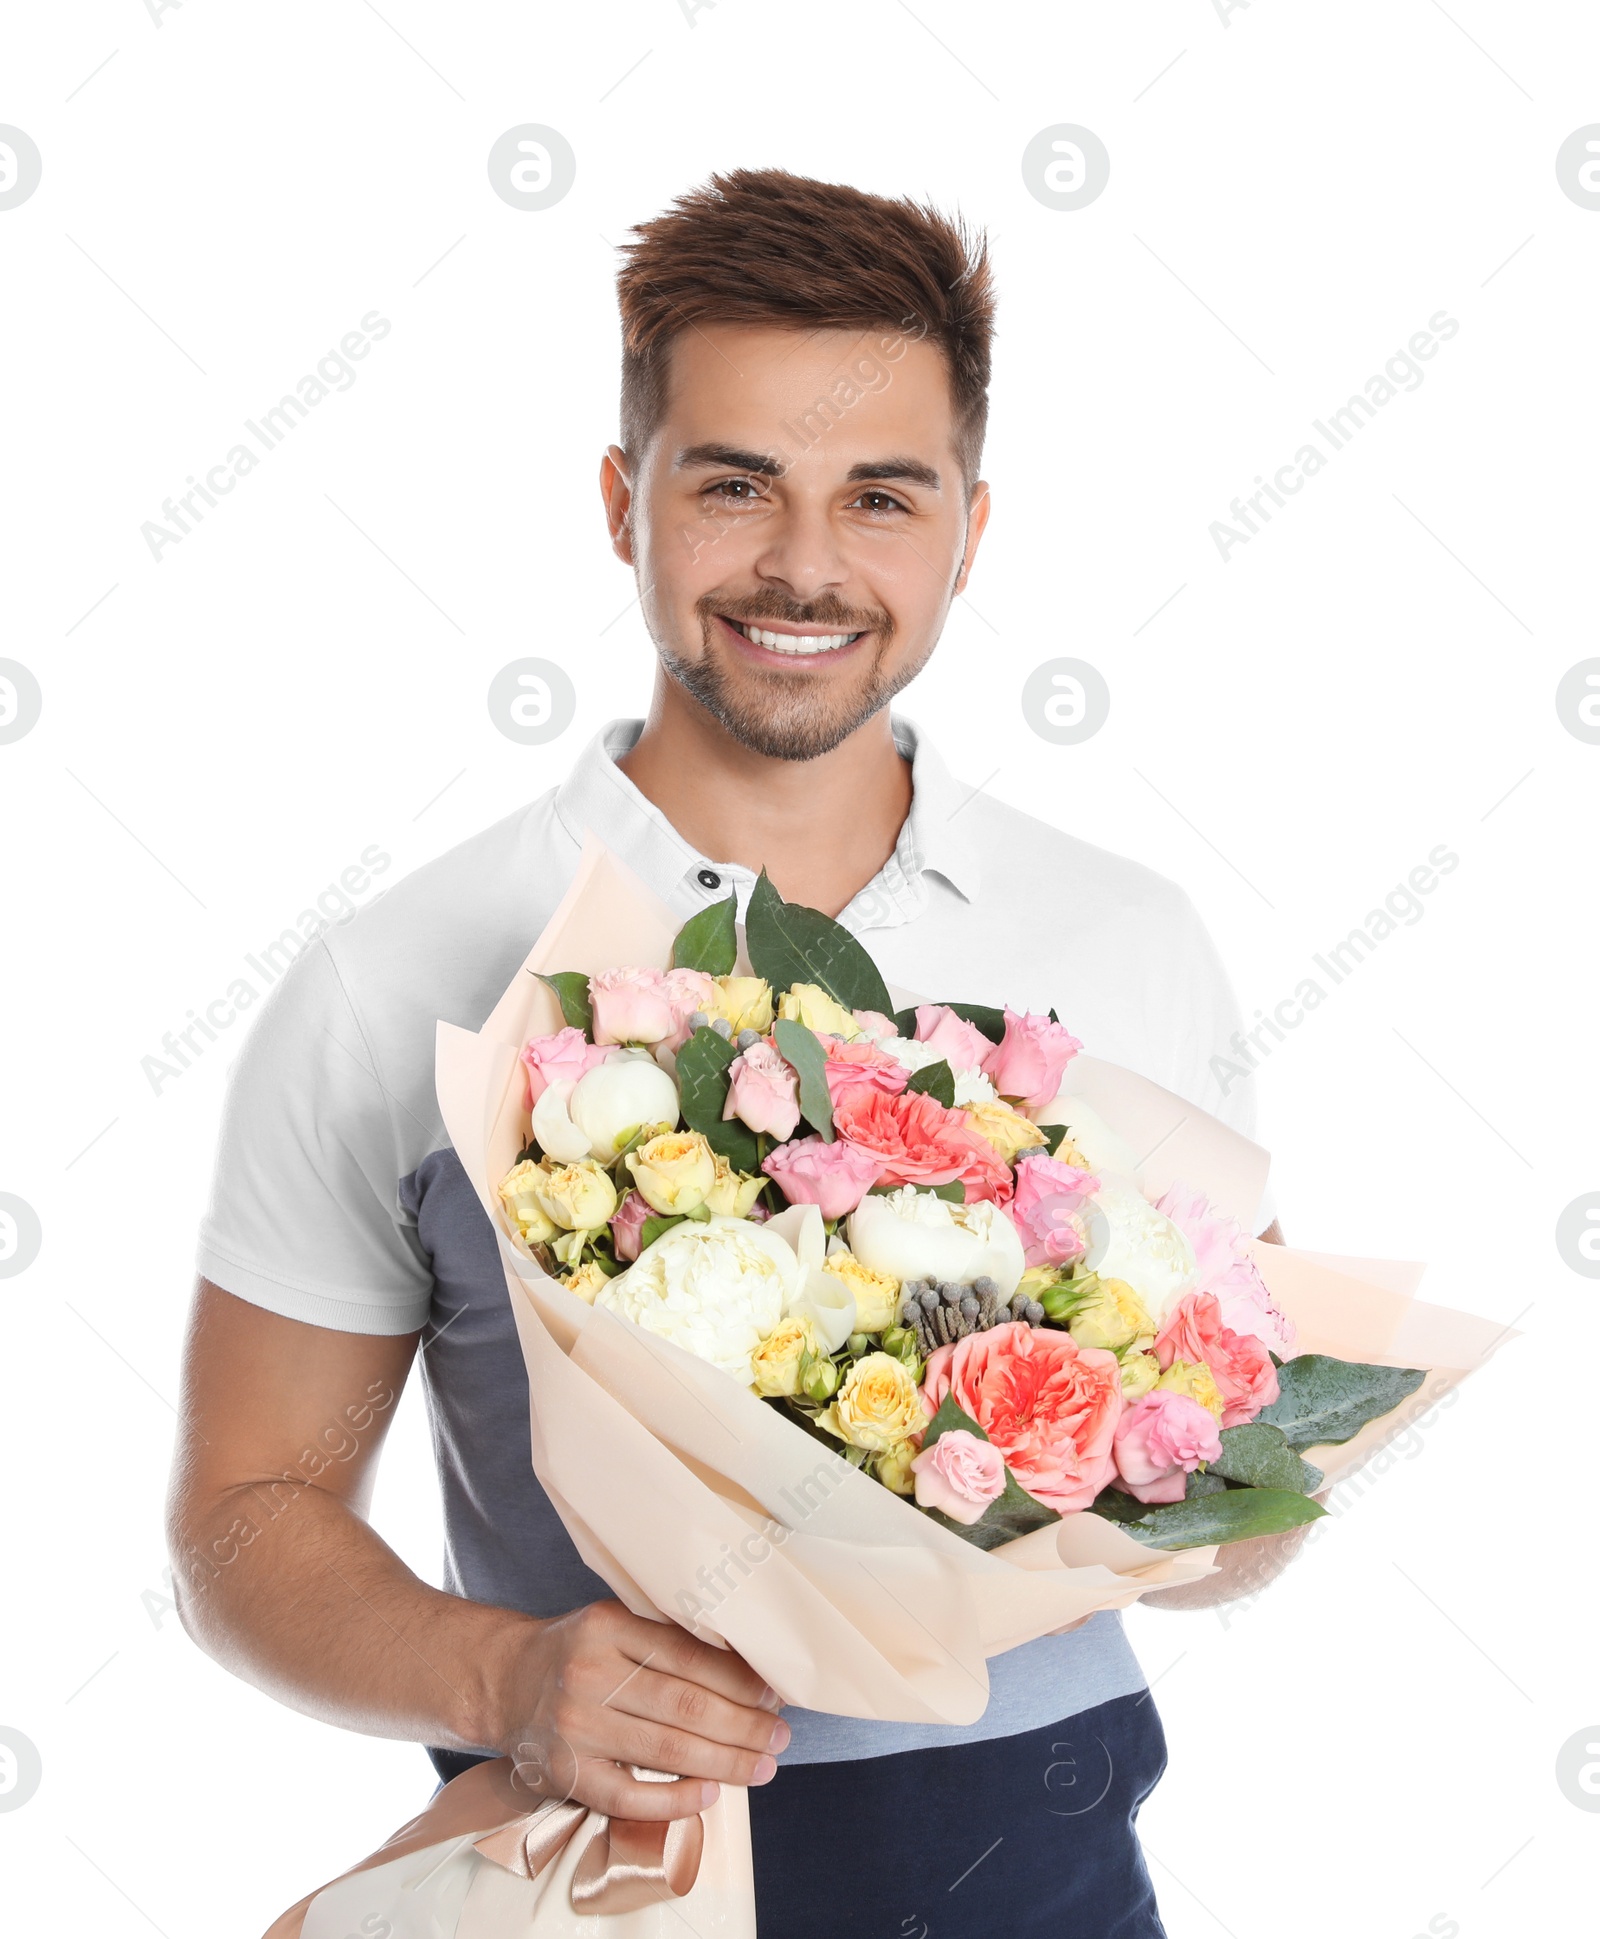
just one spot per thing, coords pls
(821, 829)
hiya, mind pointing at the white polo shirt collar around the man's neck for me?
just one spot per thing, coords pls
(936, 839)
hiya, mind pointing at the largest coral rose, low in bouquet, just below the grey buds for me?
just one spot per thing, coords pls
(1048, 1405)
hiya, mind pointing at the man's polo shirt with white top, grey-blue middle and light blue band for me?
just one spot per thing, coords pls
(340, 1203)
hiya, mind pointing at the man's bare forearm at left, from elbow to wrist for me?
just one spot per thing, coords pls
(298, 1595)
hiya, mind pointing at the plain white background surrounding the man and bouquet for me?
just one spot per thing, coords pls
(1295, 193)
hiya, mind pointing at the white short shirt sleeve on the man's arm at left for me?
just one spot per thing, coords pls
(305, 1199)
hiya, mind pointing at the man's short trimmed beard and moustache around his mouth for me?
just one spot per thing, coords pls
(777, 718)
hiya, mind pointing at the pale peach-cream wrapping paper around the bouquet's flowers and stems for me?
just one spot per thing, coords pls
(701, 1504)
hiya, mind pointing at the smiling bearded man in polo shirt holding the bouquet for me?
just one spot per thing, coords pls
(798, 493)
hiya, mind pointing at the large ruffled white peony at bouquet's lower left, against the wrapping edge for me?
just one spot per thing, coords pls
(713, 1287)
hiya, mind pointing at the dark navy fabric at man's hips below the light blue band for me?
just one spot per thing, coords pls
(1027, 1837)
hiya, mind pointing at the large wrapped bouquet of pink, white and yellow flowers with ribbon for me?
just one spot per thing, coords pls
(870, 1339)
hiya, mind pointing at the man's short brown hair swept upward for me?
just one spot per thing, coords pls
(769, 247)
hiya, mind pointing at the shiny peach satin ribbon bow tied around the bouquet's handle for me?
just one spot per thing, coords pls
(624, 1864)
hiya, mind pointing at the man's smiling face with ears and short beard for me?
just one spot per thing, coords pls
(798, 526)
